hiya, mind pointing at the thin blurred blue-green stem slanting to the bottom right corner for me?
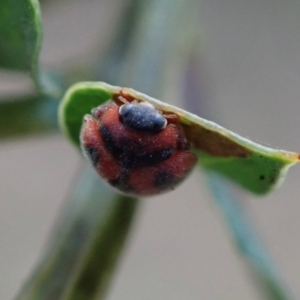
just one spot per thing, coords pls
(247, 241)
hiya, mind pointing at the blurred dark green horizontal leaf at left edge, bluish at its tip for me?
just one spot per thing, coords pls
(30, 115)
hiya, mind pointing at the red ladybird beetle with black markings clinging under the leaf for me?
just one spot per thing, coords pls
(136, 148)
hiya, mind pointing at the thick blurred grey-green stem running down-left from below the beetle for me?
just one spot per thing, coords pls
(85, 246)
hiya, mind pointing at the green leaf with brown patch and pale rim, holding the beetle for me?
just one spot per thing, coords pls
(255, 167)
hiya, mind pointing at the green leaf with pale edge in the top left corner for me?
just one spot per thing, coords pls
(20, 34)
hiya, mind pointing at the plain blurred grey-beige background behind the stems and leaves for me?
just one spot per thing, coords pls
(180, 247)
